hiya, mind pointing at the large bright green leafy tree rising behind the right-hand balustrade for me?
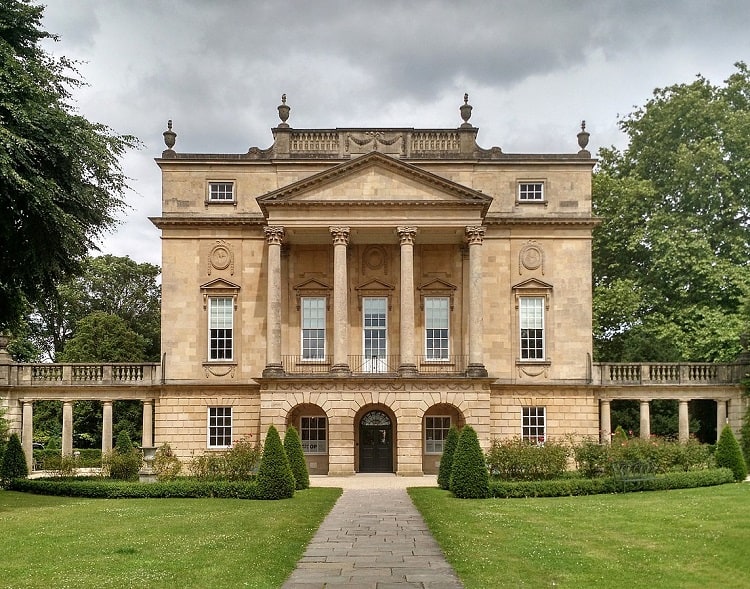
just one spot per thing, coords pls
(670, 258)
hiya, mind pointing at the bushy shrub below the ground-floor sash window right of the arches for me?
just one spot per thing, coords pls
(522, 460)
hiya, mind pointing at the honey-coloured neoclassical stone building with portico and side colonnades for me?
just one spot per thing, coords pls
(373, 287)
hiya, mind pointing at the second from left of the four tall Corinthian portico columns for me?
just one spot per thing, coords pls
(340, 301)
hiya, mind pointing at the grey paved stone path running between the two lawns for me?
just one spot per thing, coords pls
(373, 539)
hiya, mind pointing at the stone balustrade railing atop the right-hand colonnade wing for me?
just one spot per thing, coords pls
(655, 373)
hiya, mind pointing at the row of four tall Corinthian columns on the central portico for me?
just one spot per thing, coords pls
(340, 241)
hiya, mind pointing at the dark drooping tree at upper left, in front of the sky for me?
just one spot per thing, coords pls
(61, 183)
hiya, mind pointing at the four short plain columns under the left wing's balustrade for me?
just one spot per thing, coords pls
(27, 427)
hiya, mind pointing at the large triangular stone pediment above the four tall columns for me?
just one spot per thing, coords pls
(374, 179)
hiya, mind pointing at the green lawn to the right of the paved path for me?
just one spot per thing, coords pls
(688, 538)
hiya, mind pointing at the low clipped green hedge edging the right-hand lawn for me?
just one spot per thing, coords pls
(573, 487)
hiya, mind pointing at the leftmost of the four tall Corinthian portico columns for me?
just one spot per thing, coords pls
(274, 237)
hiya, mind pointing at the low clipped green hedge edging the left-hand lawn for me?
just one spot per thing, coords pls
(107, 489)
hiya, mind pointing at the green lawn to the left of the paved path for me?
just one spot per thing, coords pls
(80, 543)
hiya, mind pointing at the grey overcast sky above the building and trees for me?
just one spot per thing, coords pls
(533, 70)
